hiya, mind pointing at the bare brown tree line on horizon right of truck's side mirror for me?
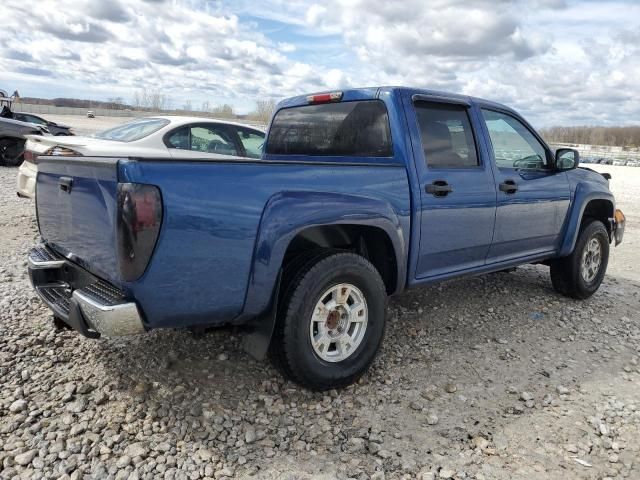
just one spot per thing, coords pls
(593, 135)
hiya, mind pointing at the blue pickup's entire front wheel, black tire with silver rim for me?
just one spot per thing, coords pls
(580, 274)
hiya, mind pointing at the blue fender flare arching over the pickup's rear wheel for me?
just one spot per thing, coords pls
(288, 213)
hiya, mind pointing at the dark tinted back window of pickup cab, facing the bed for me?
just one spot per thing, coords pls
(357, 129)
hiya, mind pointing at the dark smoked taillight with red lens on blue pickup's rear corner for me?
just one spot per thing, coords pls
(138, 225)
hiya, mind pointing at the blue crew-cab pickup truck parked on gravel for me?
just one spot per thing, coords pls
(359, 195)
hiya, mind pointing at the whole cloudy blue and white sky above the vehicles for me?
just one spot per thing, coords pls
(556, 61)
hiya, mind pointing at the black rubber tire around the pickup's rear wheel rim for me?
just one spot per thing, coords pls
(291, 347)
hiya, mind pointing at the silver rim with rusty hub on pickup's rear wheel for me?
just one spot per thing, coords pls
(338, 322)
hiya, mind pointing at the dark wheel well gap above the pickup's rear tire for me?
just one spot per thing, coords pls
(373, 243)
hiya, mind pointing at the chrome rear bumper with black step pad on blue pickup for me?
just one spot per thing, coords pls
(86, 303)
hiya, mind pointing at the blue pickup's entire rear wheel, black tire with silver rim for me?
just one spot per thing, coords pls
(331, 321)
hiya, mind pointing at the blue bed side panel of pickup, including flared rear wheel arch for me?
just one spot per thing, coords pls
(213, 210)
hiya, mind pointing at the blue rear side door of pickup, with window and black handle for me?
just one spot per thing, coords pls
(458, 192)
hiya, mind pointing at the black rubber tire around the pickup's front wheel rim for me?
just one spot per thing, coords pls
(566, 276)
